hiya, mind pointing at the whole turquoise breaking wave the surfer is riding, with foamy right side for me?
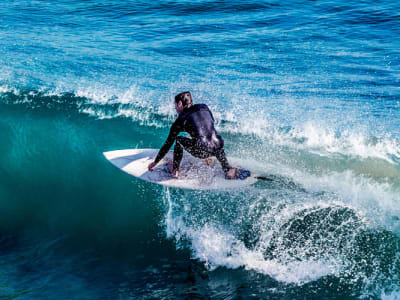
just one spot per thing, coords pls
(322, 222)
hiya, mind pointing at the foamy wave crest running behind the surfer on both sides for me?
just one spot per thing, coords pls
(311, 136)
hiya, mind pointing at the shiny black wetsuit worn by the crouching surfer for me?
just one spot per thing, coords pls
(198, 121)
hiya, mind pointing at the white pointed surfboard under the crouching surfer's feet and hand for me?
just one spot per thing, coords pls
(194, 173)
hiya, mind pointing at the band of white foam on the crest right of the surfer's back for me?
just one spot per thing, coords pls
(320, 140)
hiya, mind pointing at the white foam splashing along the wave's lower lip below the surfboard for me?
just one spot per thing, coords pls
(216, 246)
